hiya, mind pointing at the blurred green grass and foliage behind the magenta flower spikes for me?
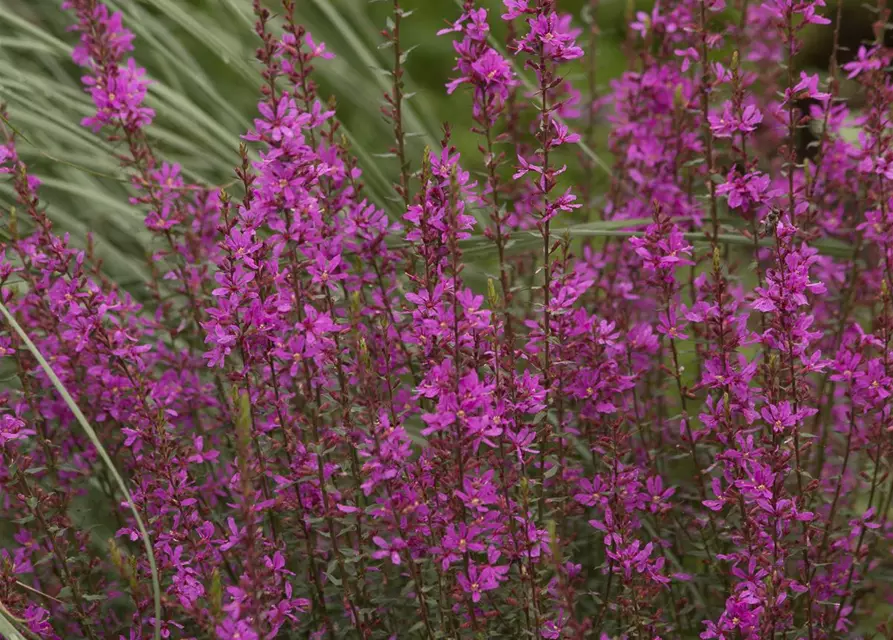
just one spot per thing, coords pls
(200, 54)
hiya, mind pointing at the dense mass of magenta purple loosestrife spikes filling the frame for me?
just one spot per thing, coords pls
(671, 419)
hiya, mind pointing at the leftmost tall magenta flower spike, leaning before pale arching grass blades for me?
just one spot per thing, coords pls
(182, 216)
